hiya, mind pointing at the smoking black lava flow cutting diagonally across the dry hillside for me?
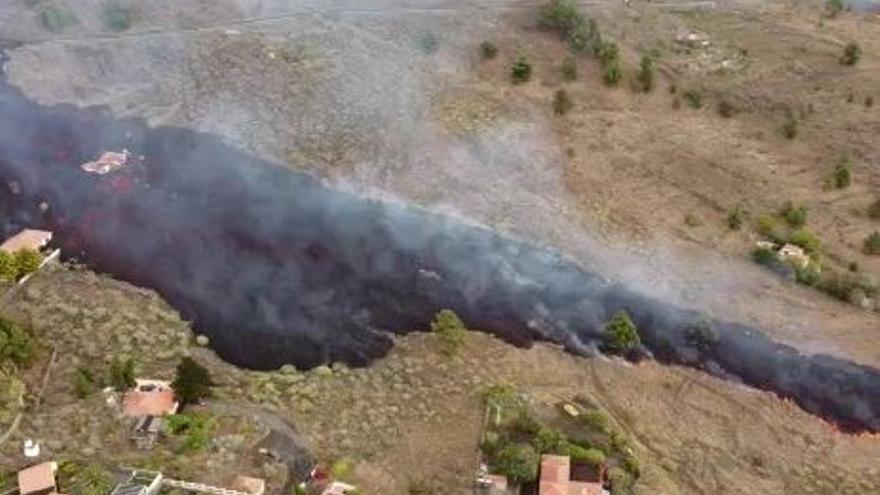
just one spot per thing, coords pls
(277, 268)
